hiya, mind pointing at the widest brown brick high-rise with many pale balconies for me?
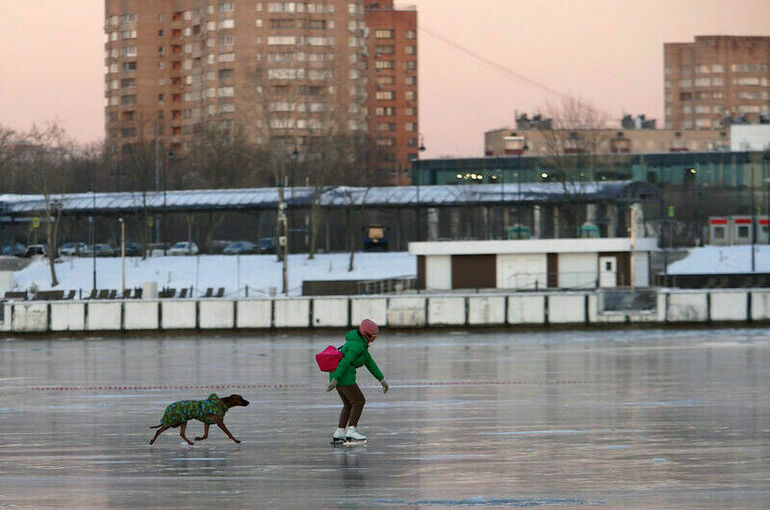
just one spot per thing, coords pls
(287, 72)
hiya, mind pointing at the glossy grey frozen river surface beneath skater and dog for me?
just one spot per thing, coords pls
(582, 419)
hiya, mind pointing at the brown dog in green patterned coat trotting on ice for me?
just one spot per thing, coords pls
(211, 410)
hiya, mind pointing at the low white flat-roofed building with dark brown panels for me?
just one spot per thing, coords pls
(534, 264)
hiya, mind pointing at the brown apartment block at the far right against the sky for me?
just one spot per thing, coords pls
(716, 81)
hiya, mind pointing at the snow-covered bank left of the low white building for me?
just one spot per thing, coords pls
(234, 273)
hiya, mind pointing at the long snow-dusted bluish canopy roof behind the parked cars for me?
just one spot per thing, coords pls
(331, 197)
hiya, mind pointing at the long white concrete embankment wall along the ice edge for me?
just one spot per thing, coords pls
(412, 311)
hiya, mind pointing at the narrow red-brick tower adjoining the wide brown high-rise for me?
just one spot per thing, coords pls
(392, 86)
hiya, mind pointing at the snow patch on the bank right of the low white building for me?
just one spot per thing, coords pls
(723, 259)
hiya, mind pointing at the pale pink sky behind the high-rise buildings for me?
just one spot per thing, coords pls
(608, 52)
